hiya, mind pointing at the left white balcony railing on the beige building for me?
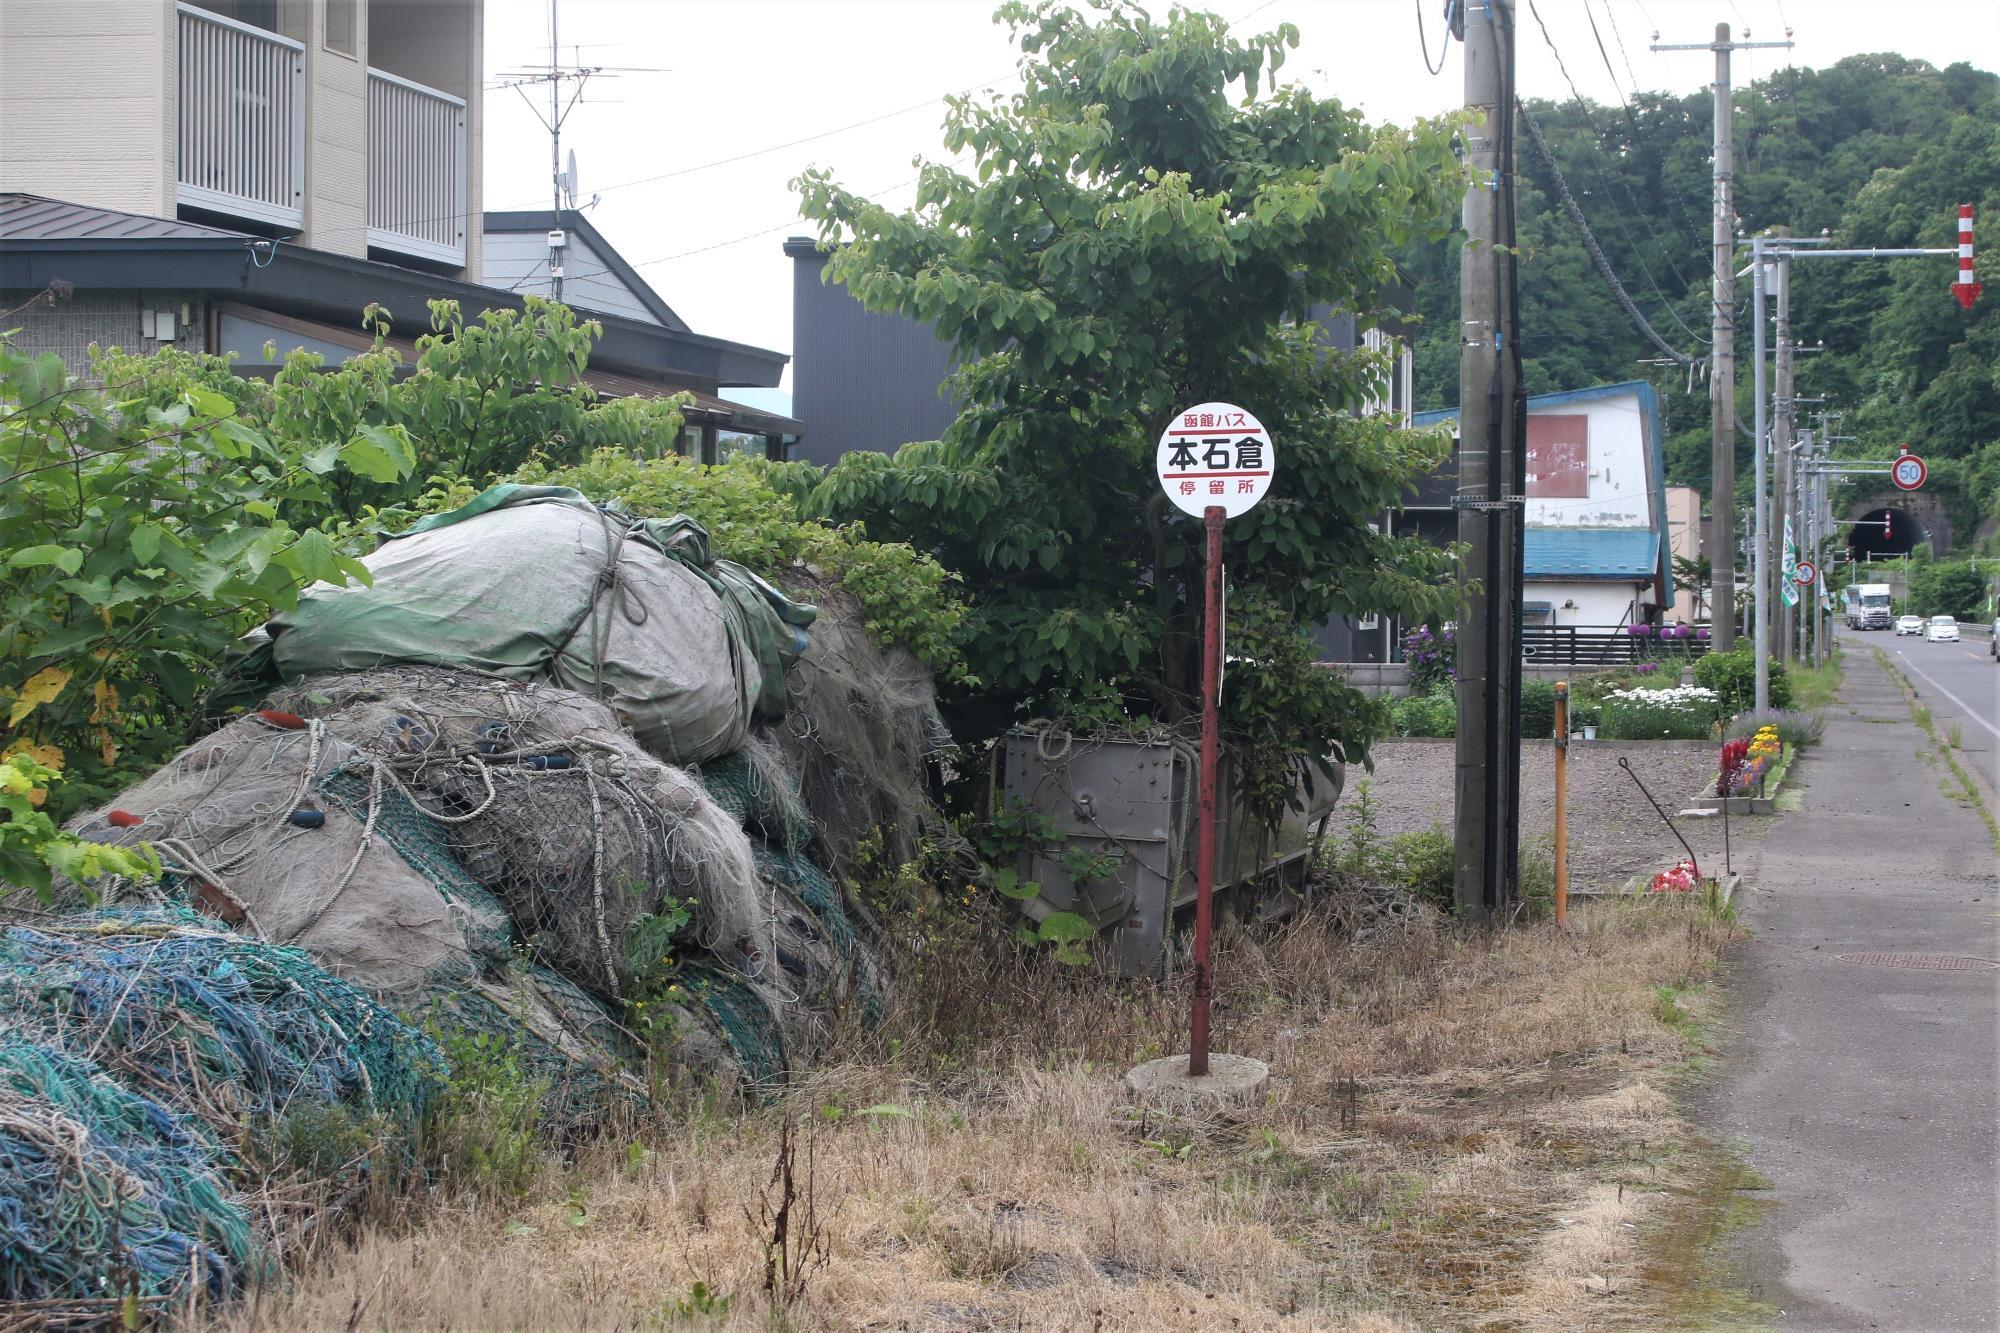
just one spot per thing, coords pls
(241, 121)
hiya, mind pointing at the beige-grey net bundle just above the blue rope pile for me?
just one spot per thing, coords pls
(301, 840)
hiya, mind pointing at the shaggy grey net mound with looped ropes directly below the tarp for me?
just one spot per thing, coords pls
(547, 802)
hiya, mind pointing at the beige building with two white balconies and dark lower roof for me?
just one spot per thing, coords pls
(233, 175)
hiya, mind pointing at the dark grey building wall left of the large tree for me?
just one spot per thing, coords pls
(859, 381)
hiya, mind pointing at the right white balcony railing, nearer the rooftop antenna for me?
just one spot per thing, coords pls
(417, 171)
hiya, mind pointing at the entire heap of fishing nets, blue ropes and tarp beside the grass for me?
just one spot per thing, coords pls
(547, 770)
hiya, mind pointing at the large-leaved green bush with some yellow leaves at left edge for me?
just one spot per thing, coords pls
(143, 527)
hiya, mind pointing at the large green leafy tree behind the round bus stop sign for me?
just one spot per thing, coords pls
(1149, 225)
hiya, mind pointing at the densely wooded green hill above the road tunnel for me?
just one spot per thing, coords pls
(1877, 151)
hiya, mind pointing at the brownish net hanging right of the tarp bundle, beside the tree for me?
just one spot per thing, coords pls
(859, 736)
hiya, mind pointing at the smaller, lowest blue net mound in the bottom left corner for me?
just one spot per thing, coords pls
(105, 1192)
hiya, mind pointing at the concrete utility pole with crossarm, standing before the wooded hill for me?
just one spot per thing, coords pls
(1723, 347)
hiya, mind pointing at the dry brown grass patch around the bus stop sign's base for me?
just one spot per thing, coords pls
(1463, 1132)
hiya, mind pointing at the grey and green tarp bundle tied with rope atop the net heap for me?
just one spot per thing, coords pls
(541, 583)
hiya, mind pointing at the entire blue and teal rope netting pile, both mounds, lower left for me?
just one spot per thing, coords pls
(141, 1050)
